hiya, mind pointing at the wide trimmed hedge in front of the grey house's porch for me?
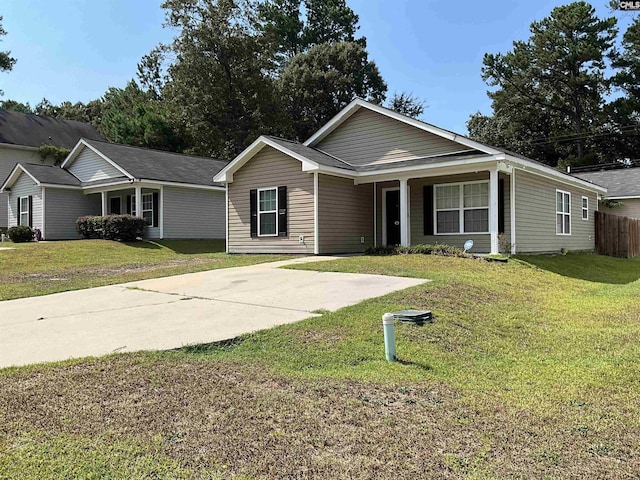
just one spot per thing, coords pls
(126, 228)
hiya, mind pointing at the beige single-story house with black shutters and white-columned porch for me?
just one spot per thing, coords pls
(371, 176)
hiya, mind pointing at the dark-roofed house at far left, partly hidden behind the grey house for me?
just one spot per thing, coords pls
(22, 134)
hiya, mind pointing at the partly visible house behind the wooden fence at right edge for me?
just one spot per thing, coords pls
(623, 185)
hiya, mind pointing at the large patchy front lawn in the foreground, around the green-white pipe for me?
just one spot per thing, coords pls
(527, 372)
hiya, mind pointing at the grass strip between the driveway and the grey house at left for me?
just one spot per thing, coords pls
(33, 269)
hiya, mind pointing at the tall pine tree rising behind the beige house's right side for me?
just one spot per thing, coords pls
(551, 88)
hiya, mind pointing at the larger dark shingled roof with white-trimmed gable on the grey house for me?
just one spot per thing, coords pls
(146, 164)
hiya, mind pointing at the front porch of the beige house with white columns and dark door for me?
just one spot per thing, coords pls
(447, 207)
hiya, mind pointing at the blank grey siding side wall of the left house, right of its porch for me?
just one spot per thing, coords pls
(193, 213)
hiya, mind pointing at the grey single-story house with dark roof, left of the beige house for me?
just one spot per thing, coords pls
(175, 193)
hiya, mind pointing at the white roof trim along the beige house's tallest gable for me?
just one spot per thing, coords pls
(358, 103)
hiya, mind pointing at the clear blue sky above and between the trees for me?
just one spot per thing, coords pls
(75, 49)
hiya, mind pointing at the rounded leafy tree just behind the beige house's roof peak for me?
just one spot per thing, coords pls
(316, 85)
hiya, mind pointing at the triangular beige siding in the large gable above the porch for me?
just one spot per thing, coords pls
(368, 137)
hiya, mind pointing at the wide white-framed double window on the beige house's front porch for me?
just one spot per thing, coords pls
(461, 208)
